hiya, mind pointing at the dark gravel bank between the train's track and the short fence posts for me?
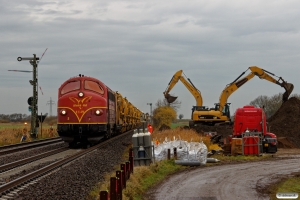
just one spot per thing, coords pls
(75, 180)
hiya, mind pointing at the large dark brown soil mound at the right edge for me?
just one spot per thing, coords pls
(286, 121)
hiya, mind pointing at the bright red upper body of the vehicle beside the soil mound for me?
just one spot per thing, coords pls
(250, 118)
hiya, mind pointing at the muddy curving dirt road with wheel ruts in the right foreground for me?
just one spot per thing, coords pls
(232, 181)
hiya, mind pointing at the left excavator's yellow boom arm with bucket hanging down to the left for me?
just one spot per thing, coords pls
(189, 85)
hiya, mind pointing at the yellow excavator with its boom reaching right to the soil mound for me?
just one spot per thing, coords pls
(221, 113)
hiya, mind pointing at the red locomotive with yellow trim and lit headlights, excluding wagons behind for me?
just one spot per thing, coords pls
(86, 110)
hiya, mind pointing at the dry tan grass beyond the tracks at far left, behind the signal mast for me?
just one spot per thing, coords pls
(11, 133)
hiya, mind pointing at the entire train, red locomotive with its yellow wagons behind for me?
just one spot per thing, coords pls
(88, 111)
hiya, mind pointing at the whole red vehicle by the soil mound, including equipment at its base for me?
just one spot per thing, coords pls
(250, 135)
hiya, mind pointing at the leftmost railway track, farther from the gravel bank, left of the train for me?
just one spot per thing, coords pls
(28, 145)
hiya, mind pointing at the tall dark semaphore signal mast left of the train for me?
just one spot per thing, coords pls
(33, 101)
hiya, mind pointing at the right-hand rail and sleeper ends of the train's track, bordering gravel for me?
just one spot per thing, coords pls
(8, 190)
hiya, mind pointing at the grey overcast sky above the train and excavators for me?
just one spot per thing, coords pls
(135, 47)
